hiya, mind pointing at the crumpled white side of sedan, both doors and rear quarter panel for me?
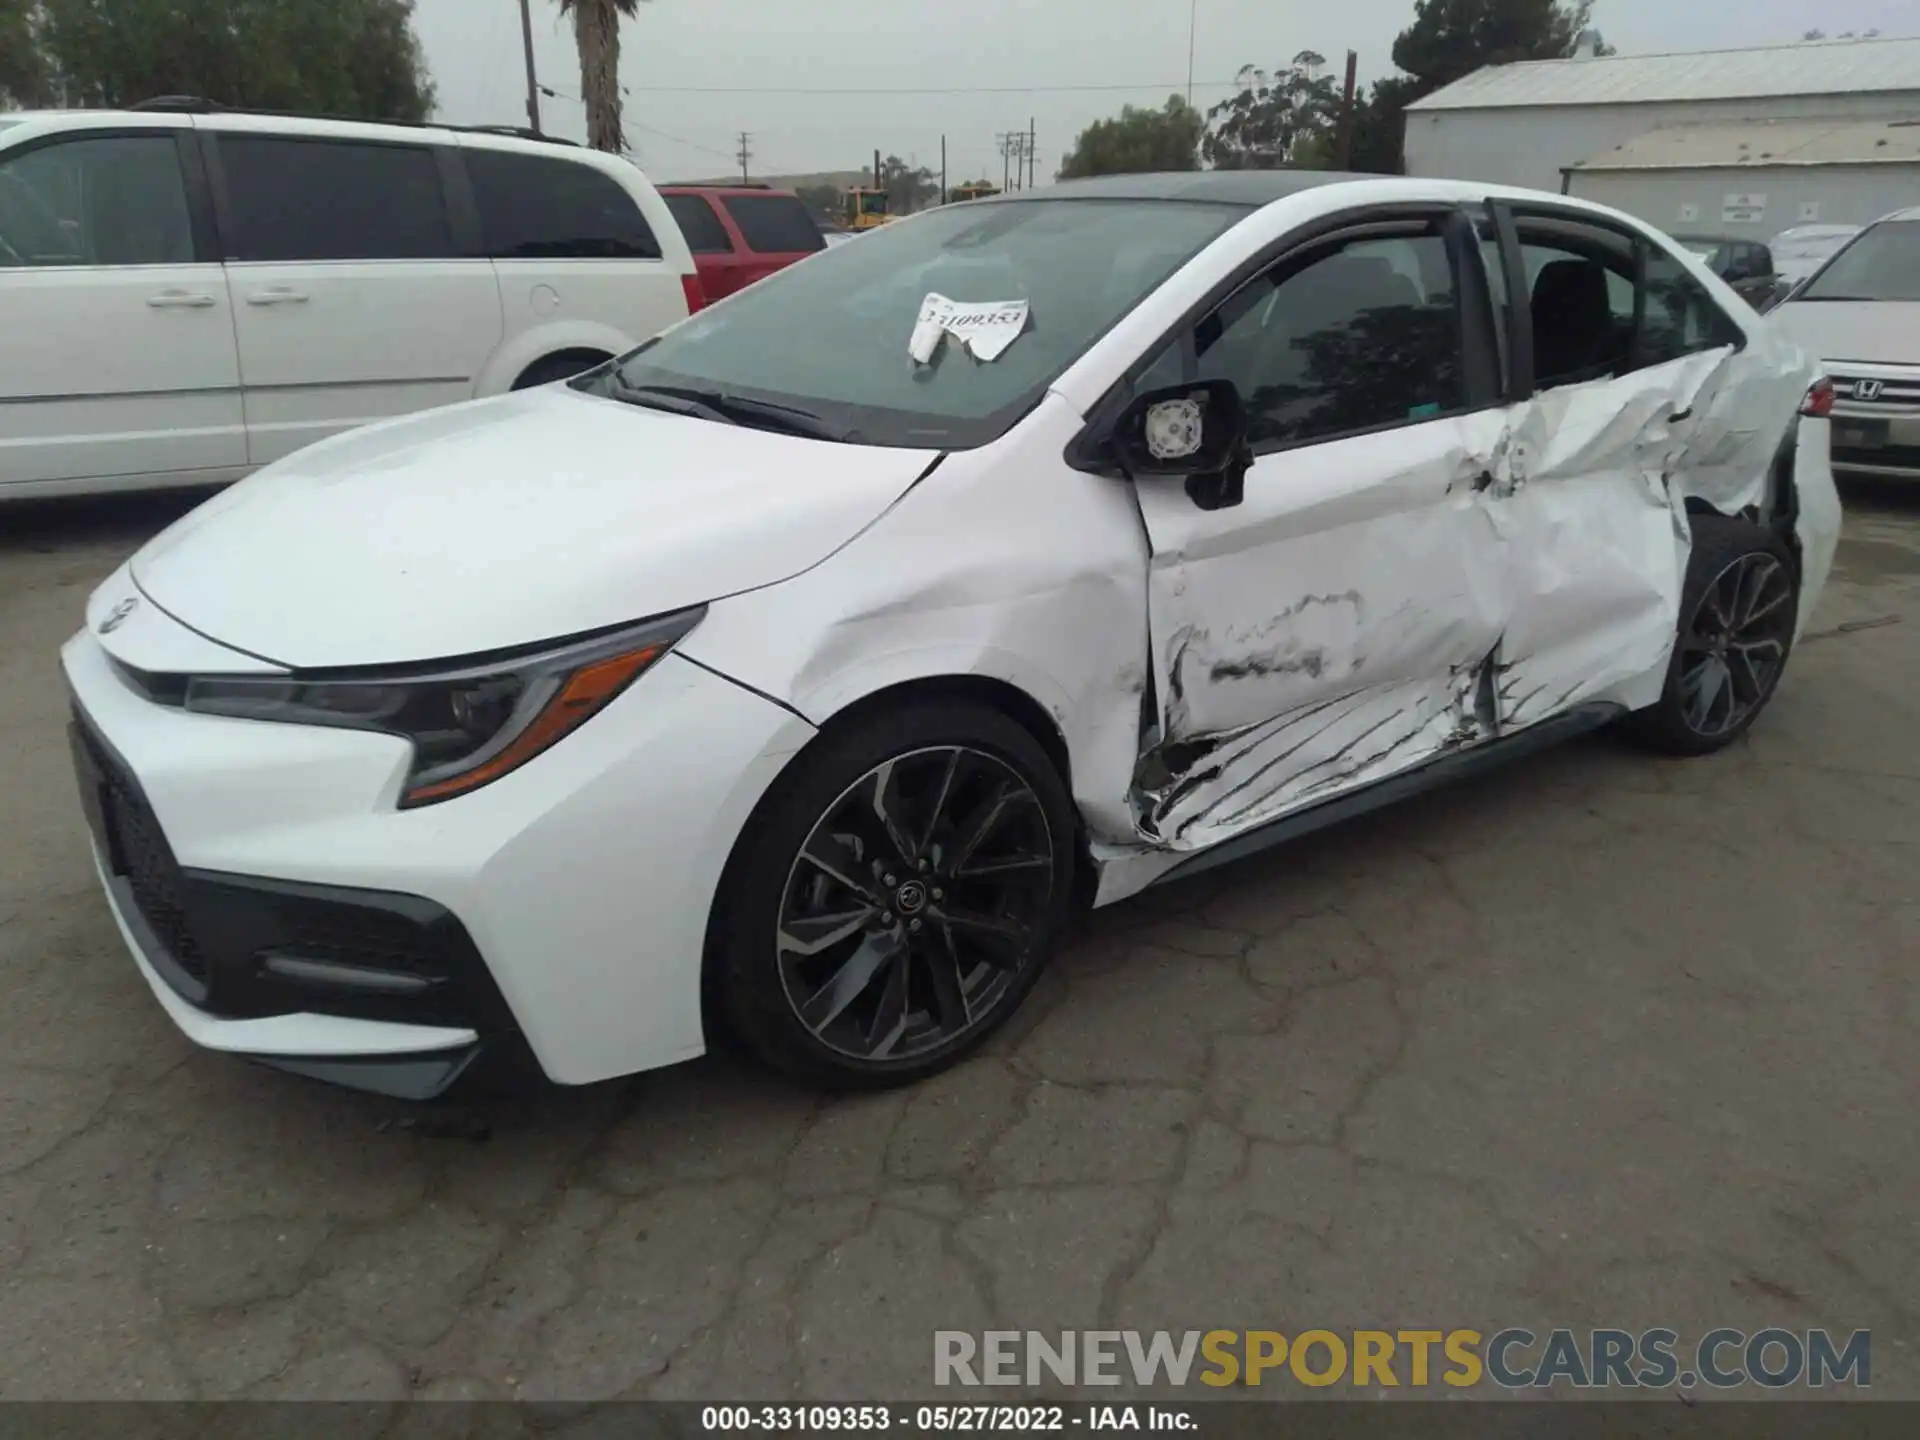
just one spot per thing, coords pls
(1385, 600)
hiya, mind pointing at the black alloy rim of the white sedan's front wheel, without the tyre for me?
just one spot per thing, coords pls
(915, 903)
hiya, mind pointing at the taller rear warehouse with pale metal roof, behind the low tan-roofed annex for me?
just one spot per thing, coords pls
(1535, 122)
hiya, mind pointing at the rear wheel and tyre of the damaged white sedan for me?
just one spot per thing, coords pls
(1737, 631)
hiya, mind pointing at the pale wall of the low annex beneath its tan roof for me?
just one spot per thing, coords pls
(1788, 195)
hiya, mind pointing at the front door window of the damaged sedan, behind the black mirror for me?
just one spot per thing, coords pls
(1356, 339)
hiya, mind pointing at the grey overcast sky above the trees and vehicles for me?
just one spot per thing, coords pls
(819, 84)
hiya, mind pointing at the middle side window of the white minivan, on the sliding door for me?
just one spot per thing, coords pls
(302, 199)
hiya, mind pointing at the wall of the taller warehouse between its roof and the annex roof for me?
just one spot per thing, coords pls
(1533, 145)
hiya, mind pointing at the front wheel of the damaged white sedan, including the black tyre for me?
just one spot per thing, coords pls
(898, 896)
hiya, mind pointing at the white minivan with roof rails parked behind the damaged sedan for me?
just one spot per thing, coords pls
(189, 293)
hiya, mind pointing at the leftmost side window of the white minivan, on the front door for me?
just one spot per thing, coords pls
(108, 201)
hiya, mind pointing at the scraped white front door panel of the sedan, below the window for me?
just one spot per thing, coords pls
(1314, 638)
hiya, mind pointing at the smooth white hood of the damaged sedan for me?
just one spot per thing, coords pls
(508, 523)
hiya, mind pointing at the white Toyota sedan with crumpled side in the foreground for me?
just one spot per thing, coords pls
(802, 671)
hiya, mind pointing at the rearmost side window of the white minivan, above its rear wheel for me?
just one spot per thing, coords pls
(539, 208)
